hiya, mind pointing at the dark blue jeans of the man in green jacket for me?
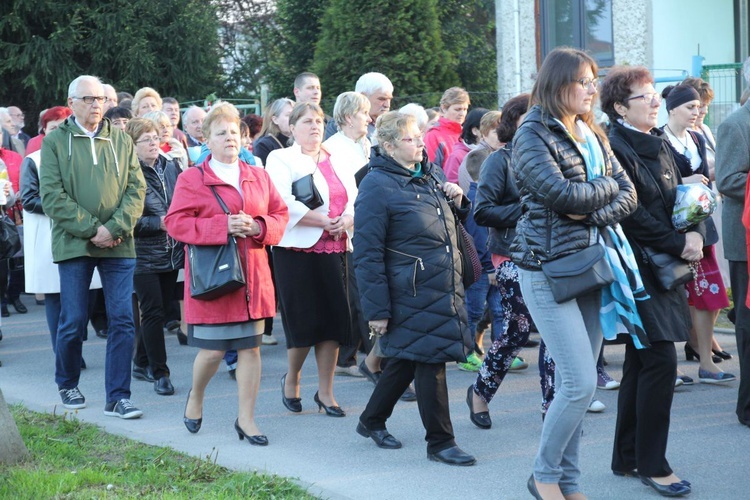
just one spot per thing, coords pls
(117, 283)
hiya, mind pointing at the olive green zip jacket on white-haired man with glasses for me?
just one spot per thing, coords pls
(88, 182)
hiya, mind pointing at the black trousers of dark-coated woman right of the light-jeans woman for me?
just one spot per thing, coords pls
(643, 409)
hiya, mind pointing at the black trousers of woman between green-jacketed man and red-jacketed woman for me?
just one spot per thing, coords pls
(154, 291)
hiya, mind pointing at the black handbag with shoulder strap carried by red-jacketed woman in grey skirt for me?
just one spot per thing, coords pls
(215, 270)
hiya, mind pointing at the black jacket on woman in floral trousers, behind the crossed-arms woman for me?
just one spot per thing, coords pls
(498, 203)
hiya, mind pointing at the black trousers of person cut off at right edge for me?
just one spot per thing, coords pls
(739, 281)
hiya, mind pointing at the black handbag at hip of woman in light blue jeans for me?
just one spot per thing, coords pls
(578, 274)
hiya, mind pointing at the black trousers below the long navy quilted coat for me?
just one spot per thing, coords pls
(432, 399)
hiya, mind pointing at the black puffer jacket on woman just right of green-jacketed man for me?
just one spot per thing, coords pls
(155, 250)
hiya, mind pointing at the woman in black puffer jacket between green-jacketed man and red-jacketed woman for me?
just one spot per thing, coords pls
(158, 257)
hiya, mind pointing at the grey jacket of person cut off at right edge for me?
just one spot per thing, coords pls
(732, 165)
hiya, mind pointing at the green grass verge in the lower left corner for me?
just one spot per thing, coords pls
(70, 459)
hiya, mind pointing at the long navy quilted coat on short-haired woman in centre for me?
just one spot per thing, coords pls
(408, 268)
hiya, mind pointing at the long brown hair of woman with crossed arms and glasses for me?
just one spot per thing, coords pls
(560, 70)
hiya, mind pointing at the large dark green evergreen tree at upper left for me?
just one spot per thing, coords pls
(171, 45)
